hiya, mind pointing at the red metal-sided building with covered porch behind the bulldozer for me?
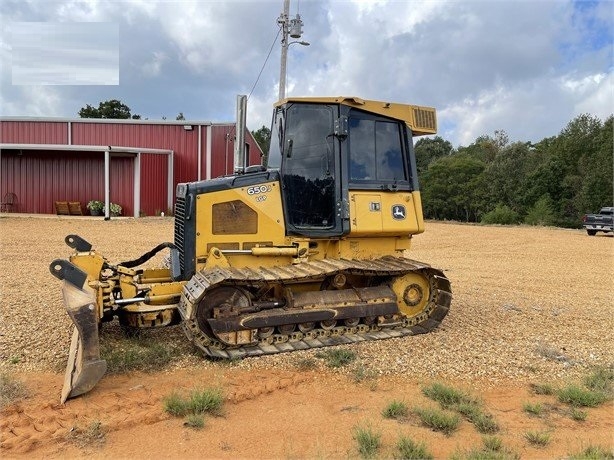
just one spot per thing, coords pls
(137, 162)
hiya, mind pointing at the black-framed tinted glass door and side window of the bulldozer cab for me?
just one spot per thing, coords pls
(324, 150)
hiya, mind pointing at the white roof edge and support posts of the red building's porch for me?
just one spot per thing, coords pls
(107, 150)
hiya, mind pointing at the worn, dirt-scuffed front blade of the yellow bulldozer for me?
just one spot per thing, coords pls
(84, 368)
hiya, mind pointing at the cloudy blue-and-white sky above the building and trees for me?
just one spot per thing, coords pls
(525, 67)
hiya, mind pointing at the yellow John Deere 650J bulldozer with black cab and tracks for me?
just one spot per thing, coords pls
(306, 250)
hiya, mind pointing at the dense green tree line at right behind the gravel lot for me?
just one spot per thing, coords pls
(553, 182)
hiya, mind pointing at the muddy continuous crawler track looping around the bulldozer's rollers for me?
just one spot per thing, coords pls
(201, 282)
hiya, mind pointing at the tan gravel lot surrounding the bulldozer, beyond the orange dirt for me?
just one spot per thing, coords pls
(528, 303)
